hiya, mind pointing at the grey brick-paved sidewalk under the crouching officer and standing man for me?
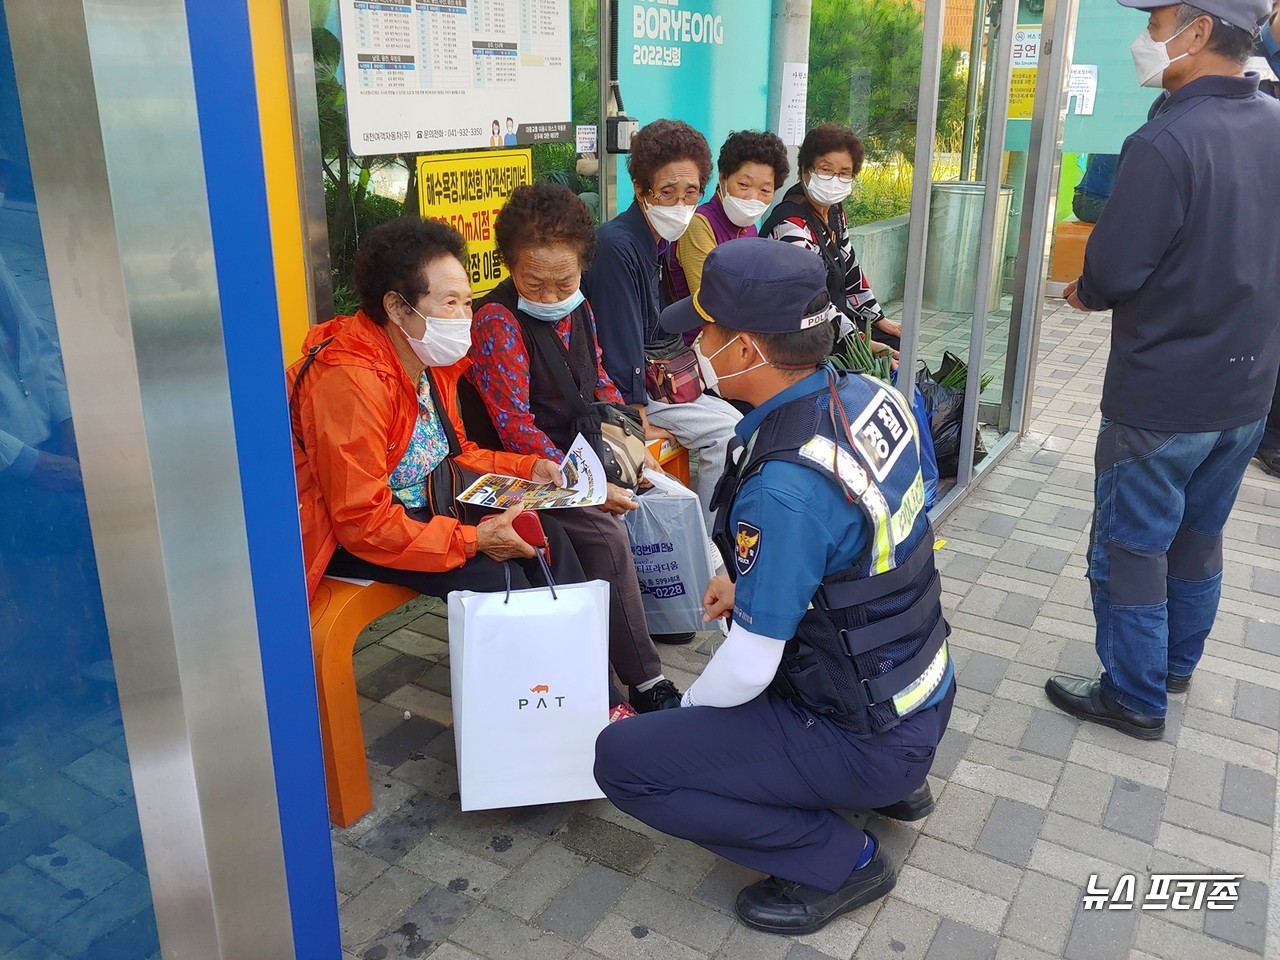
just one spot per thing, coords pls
(1030, 802)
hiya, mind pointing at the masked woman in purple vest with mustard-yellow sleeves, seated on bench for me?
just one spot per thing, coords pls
(752, 166)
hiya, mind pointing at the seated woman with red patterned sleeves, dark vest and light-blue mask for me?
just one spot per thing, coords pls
(533, 323)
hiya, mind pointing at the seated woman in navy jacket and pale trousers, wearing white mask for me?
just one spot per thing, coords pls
(670, 166)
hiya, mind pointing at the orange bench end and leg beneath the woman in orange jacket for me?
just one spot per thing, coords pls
(340, 611)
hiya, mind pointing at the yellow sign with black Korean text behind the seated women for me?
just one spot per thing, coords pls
(467, 191)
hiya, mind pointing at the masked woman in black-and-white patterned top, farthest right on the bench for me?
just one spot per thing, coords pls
(812, 216)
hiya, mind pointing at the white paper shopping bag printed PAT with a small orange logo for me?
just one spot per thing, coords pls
(529, 676)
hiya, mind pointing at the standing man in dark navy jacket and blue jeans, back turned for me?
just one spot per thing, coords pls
(1185, 257)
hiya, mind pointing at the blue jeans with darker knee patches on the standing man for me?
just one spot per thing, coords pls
(1156, 551)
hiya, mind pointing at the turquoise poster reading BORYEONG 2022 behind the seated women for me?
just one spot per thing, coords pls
(702, 62)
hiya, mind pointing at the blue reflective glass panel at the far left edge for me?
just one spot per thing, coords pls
(74, 883)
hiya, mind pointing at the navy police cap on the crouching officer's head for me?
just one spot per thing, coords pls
(756, 285)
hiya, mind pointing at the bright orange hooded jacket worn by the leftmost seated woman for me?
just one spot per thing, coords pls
(355, 412)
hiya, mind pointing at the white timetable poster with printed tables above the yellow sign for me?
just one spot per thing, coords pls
(449, 75)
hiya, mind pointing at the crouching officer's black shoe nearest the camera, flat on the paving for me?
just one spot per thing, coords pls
(776, 906)
